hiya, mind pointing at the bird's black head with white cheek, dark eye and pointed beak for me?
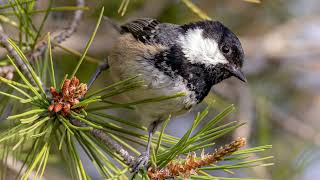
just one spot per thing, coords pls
(214, 45)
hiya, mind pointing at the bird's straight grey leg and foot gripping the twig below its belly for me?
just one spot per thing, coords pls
(143, 159)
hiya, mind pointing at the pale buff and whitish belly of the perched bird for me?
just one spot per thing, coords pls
(156, 84)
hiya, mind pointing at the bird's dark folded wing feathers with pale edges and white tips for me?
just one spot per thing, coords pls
(143, 29)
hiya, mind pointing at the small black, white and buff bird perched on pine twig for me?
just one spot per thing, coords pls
(172, 58)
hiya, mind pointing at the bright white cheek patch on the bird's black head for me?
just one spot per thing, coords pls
(198, 49)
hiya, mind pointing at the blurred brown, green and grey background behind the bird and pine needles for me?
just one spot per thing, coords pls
(281, 101)
